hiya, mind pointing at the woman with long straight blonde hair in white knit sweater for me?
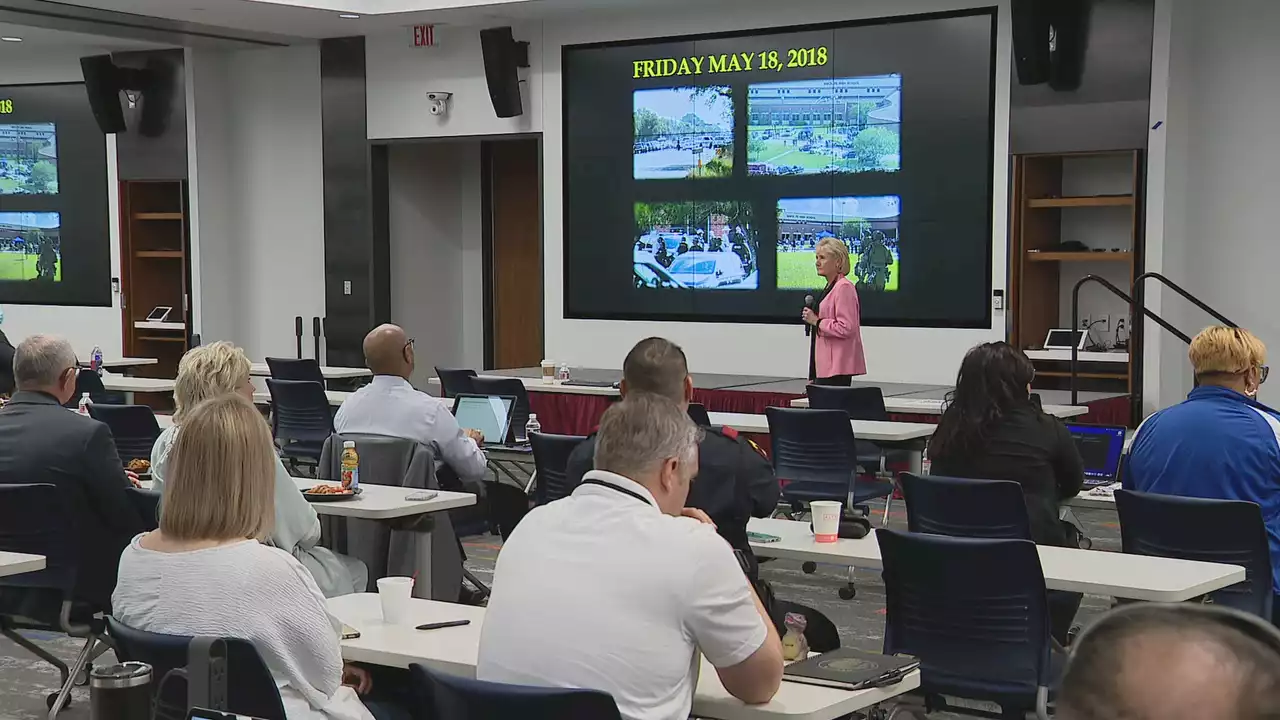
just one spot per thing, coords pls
(205, 573)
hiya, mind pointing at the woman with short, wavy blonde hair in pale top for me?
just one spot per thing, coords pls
(222, 368)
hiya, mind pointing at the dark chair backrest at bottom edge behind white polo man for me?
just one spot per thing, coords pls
(452, 698)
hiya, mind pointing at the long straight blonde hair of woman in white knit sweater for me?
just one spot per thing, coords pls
(222, 475)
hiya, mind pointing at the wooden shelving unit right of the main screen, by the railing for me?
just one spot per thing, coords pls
(1089, 198)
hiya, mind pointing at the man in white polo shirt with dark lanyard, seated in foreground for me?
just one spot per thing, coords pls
(616, 586)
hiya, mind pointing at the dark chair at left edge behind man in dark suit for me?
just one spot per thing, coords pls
(35, 520)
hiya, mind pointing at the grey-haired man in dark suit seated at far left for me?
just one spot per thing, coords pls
(44, 443)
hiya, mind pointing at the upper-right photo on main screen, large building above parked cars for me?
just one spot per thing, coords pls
(825, 126)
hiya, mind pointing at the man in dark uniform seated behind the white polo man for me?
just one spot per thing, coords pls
(734, 484)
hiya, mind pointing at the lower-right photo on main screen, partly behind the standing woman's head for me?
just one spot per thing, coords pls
(867, 226)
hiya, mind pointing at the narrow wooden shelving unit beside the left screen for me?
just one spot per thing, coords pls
(157, 272)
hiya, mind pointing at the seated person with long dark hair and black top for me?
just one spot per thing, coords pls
(991, 430)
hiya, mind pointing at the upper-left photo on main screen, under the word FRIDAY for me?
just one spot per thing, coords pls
(683, 133)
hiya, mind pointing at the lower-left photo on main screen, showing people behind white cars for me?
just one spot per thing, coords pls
(696, 247)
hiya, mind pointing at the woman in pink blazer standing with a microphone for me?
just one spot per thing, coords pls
(836, 347)
